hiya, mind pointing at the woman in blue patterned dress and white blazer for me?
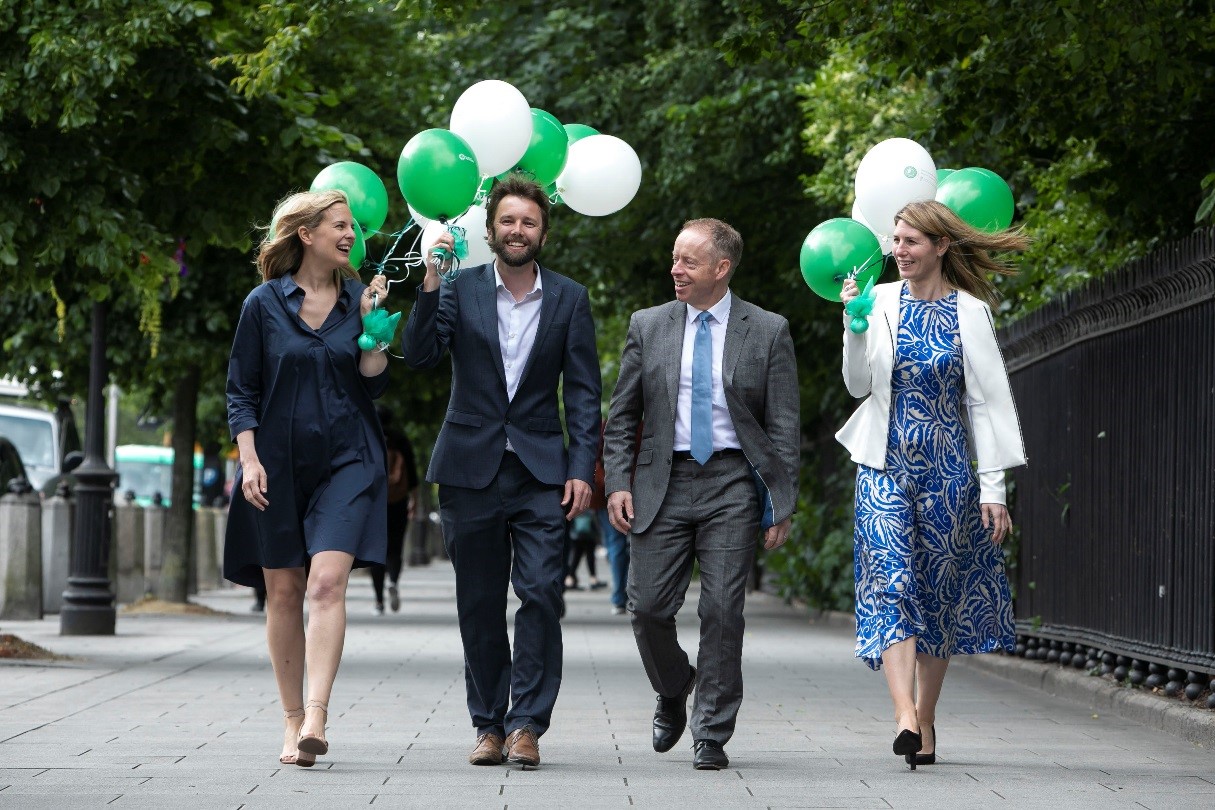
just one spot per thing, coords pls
(929, 523)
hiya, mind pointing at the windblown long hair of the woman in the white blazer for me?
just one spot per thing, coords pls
(968, 260)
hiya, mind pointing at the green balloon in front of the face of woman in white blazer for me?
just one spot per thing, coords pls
(834, 251)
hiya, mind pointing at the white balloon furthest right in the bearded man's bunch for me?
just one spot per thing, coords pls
(602, 175)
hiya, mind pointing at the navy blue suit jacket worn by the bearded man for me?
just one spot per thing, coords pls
(461, 318)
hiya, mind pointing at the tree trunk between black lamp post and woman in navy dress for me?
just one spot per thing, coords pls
(179, 529)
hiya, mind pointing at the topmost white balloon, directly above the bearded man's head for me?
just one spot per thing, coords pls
(496, 121)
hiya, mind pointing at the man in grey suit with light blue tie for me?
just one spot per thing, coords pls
(713, 381)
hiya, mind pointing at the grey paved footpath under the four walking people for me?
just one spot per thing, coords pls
(182, 712)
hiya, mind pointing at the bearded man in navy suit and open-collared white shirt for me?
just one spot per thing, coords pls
(507, 484)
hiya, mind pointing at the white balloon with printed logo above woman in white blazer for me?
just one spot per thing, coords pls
(892, 174)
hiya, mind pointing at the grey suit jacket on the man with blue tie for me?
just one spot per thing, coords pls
(760, 377)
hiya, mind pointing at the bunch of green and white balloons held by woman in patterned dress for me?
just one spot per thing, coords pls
(892, 174)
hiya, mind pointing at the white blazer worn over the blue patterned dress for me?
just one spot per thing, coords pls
(991, 414)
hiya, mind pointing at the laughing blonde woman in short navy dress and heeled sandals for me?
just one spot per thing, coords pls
(309, 500)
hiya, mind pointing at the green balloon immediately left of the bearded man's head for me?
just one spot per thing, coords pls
(438, 174)
